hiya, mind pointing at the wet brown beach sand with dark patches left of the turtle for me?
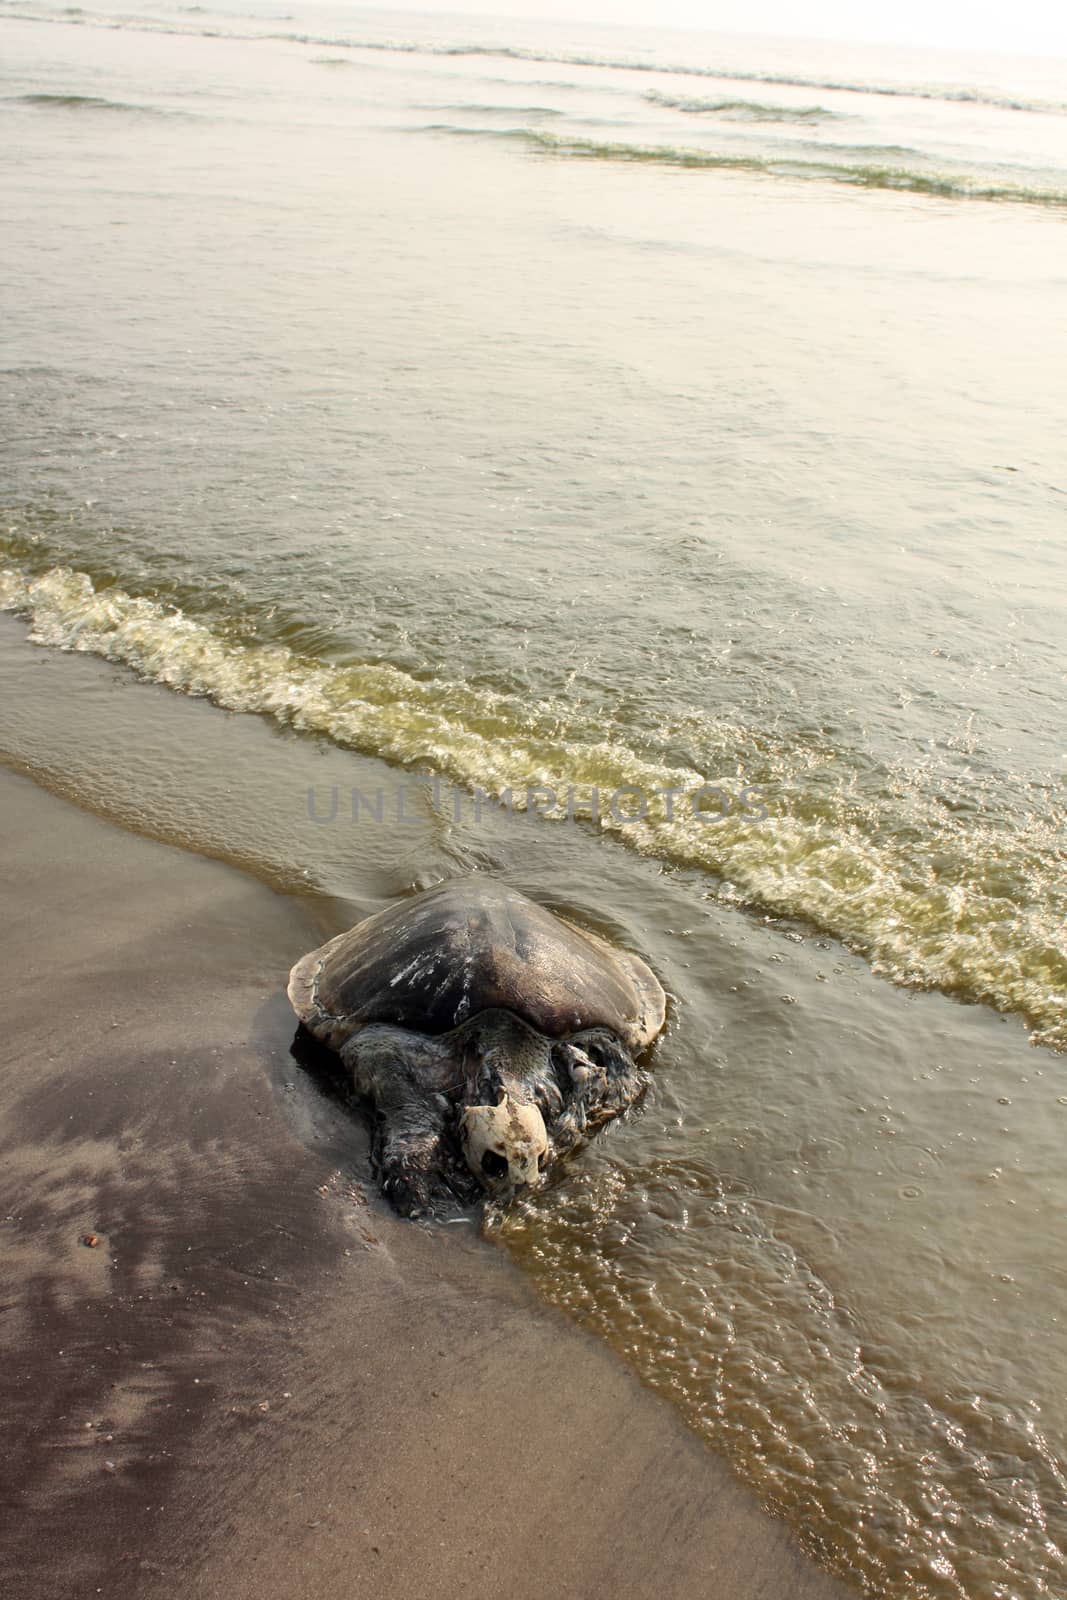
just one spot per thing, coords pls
(258, 1382)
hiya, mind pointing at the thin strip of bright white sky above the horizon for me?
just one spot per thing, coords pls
(1026, 26)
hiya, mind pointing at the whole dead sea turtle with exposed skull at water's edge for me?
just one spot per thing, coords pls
(490, 1036)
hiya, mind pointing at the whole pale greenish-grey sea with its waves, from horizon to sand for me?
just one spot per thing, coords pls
(690, 431)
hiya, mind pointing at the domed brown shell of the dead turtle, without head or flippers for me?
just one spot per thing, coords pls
(470, 946)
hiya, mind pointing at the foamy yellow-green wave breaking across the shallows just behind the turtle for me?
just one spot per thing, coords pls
(954, 929)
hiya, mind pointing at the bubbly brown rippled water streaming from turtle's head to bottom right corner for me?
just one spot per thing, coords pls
(921, 1495)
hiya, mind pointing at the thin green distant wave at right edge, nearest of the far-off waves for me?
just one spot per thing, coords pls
(863, 175)
